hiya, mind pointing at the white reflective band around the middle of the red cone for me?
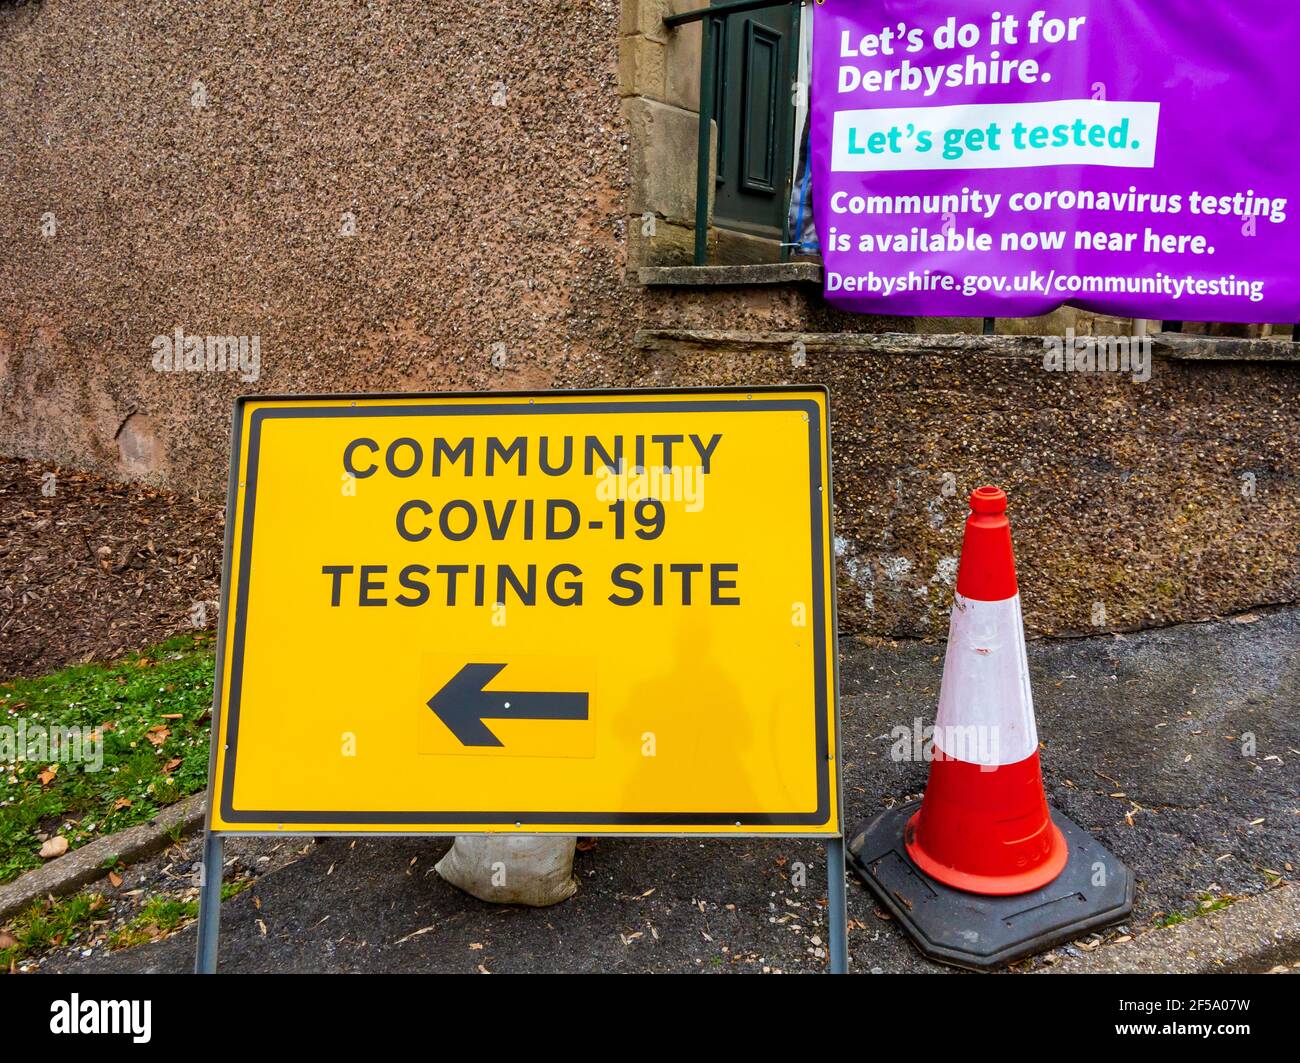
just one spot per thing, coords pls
(986, 710)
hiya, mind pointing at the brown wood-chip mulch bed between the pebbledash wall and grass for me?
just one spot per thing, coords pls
(92, 570)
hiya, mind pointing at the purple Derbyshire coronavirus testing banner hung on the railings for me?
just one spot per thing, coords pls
(1134, 158)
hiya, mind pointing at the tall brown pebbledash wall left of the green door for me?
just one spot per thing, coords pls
(385, 196)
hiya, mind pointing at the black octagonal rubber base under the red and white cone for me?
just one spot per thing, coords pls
(969, 930)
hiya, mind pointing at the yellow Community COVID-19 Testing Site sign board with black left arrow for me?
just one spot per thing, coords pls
(565, 613)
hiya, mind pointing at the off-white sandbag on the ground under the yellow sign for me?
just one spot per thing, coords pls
(513, 869)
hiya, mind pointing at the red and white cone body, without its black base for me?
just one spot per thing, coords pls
(985, 825)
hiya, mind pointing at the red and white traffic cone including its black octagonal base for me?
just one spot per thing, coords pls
(983, 873)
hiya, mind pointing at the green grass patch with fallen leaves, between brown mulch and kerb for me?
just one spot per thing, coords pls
(151, 710)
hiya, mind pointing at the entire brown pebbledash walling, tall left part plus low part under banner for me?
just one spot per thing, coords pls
(415, 197)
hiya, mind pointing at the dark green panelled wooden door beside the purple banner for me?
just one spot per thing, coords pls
(756, 57)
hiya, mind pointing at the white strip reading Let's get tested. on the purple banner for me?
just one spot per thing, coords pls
(1059, 133)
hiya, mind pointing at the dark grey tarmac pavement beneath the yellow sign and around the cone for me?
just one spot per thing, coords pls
(1143, 745)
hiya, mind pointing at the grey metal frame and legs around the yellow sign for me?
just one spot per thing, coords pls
(834, 840)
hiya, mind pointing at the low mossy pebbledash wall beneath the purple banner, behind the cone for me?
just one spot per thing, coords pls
(1132, 505)
